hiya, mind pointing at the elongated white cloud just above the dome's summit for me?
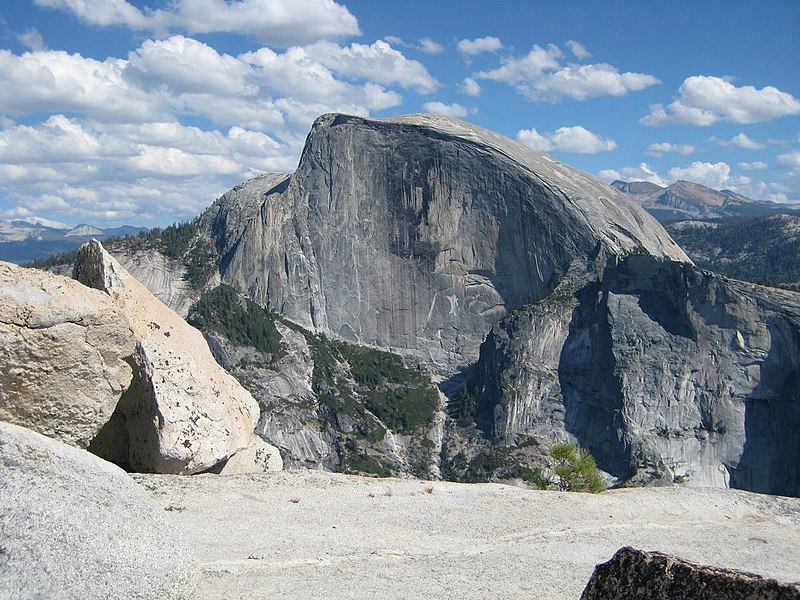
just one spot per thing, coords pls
(378, 62)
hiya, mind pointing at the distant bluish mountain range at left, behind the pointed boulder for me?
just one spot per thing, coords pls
(21, 241)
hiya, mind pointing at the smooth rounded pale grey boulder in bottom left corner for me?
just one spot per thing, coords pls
(75, 526)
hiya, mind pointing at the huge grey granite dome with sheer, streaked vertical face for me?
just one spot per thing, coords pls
(418, 233)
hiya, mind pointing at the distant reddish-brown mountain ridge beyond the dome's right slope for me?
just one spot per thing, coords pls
(684, 200)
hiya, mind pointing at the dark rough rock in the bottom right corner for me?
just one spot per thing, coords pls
(645, 575)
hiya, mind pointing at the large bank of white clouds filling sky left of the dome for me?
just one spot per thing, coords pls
(114, 145)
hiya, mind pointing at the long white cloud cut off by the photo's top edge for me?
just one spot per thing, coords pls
(279, 22)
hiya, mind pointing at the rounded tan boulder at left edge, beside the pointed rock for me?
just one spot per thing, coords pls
(63, 353)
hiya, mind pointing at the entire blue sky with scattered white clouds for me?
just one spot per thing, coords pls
(143, 112)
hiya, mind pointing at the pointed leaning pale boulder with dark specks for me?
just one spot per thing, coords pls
(183, 413)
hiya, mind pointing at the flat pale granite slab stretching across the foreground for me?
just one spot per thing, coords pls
(314, 534)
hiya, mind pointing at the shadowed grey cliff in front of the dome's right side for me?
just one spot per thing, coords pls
(662, 370)
